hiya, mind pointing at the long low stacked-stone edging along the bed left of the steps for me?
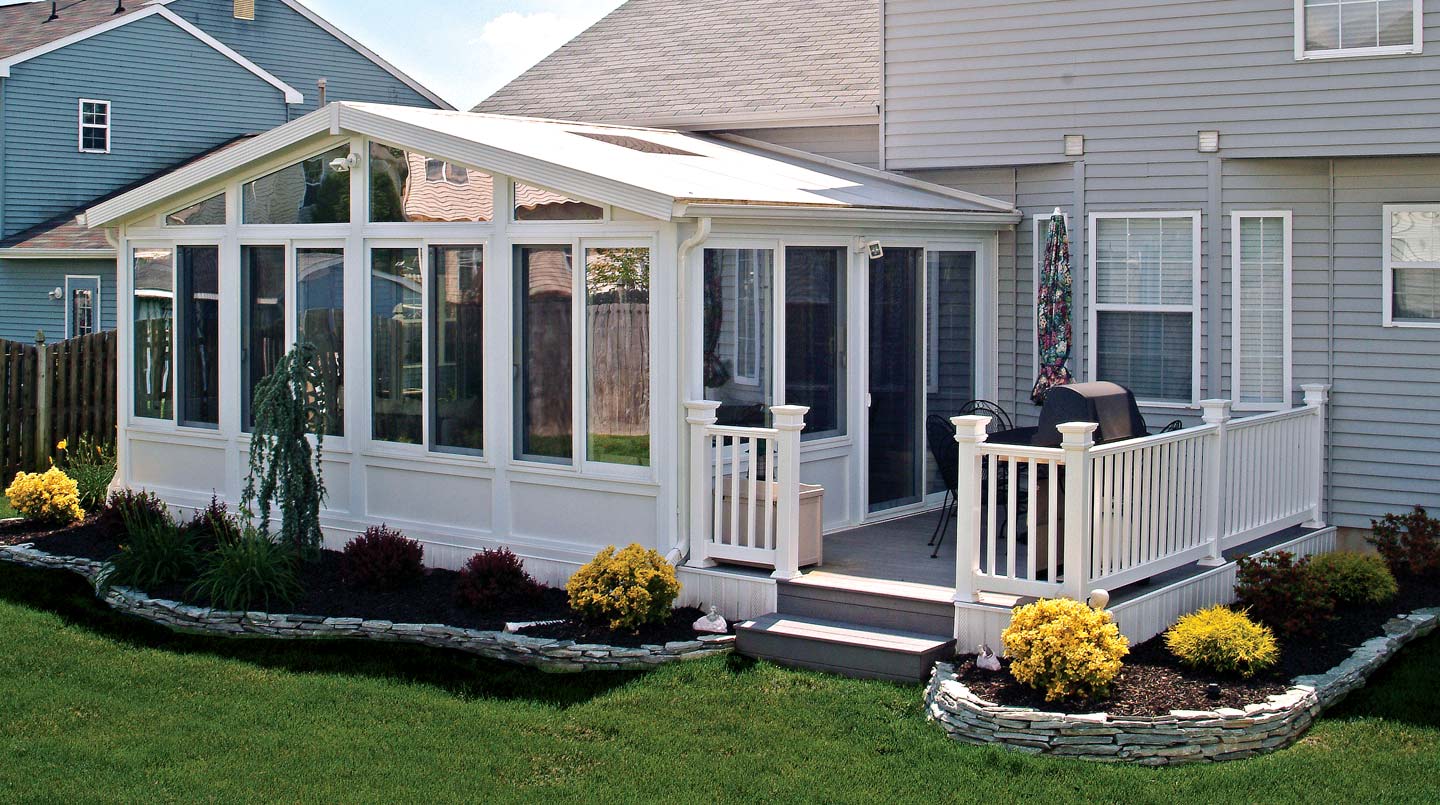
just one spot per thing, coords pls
(546, 655)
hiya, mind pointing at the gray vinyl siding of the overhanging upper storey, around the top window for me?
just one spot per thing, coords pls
(980, 83)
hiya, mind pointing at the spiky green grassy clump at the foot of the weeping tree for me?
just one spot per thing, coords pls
(253, 572)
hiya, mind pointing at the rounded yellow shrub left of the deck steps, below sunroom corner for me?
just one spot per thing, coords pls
(624, 591)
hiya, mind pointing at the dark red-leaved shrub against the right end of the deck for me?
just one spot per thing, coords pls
(1284, 594)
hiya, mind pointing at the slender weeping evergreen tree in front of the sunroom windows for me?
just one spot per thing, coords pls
(284, 469)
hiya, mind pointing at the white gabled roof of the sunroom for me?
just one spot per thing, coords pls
(652, 172)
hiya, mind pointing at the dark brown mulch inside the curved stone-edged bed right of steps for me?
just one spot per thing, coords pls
(1154, 683)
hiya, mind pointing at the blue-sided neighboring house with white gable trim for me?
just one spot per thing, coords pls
(110, 94)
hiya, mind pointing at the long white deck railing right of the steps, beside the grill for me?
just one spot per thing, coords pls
(1049, 522)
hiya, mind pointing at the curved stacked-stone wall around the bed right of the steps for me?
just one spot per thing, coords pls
(1183, 737)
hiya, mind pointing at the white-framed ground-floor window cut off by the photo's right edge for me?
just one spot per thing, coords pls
(1412, 266)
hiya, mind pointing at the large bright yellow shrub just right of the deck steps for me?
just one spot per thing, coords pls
(1065, 649)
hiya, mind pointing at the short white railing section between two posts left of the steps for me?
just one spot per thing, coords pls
(745, 490)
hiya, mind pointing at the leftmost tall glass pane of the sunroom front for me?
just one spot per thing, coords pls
(155, 318)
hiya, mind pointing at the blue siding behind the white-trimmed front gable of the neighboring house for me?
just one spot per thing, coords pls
(300, 53)
